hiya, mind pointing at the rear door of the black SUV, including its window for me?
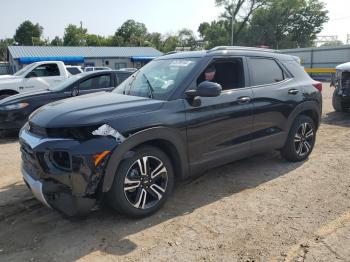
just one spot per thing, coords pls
(275, 95)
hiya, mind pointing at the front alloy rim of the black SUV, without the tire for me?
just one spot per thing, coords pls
(145, 182)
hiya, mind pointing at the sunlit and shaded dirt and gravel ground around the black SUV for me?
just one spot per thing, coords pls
(259, 209)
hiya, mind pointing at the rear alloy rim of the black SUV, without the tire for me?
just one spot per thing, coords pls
(304, 139)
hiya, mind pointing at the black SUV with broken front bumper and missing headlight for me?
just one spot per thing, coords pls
(178, 116)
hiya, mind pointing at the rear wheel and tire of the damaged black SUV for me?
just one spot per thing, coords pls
(301, 140)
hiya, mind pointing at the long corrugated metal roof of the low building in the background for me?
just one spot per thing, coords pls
(85, 51)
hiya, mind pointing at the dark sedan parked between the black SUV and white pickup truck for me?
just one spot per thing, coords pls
(15, 110)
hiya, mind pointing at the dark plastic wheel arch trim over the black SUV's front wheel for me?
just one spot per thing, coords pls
(166, 139)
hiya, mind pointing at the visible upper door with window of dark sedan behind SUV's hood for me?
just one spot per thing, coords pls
(97, 83)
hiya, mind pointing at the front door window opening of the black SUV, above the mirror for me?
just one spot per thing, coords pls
(229, 73)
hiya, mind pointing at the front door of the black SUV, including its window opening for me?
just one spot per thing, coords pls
(219, 130)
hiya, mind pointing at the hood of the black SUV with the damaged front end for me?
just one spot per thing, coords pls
(91, 109)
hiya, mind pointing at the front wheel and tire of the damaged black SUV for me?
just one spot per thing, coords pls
(142, 183)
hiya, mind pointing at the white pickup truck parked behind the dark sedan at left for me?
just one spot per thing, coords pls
(33, 77)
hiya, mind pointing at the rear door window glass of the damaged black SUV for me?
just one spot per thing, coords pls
(265, 71)
